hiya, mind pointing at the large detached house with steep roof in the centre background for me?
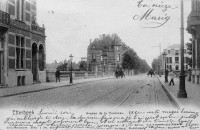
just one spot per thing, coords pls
(105, 53)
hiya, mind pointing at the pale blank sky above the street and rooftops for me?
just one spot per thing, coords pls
(70, 24)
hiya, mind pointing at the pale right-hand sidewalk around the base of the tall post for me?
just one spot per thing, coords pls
(193, 93)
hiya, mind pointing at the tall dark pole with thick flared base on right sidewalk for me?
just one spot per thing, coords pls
(182, 92)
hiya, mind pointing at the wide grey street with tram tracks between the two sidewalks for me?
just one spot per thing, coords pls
(129, 92)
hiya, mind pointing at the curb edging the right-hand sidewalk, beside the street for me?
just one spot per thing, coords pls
(171, 96)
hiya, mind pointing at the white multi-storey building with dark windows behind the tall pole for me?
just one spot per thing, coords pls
(173, 60)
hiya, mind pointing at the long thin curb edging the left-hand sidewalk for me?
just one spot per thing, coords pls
(39, 90)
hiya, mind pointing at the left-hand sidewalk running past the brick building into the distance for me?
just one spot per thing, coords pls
(12, 91)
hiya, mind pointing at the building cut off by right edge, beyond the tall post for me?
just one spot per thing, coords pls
(193, 27)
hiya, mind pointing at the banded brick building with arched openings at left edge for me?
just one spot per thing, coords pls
(22, 44)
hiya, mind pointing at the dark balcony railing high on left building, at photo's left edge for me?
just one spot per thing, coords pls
(4, 19)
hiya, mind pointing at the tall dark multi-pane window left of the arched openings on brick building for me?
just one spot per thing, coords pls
(20, 52)
